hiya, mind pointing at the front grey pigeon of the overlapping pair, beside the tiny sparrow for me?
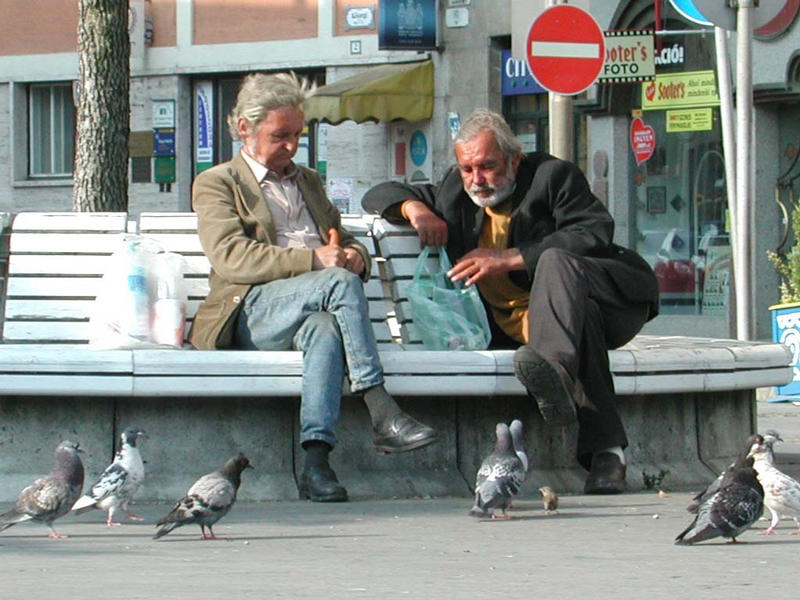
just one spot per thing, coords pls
(499, 478)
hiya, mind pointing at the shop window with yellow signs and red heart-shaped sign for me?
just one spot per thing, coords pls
(679, 204)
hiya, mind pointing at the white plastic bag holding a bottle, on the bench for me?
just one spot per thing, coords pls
(142, 300)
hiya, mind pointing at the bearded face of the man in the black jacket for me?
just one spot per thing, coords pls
(487, 174)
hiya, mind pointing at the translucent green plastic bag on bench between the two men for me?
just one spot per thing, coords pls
(448, 316)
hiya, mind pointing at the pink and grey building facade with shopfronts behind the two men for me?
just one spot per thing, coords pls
(668, 194)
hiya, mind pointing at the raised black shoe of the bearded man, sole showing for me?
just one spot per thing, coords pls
(549, 384)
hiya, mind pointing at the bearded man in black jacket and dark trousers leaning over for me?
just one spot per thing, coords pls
(527, 230)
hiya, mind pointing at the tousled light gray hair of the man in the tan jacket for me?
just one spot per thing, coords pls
(261, 93)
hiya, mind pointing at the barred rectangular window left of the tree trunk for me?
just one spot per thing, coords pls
(51, 133)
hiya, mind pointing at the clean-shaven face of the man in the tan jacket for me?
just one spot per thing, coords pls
(273, 142)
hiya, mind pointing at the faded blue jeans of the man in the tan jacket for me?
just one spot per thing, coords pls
(325, 315)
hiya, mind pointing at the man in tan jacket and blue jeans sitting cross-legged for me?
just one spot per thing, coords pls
(286, 275)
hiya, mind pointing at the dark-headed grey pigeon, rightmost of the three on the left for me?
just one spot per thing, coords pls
(208, 500)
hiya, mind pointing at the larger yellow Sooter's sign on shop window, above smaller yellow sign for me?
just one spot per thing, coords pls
(680, 90)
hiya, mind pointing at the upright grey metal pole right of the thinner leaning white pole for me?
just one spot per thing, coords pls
(744, 167)
